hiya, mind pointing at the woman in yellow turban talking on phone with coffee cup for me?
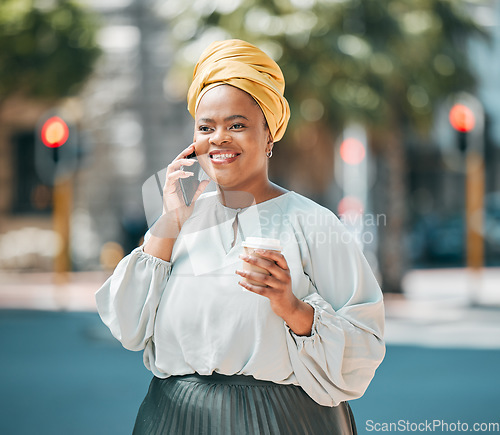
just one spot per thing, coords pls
(281, 355)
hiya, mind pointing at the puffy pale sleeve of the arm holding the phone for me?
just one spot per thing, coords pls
(128, 300)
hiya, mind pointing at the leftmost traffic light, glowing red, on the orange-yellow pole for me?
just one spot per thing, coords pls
(56, 151)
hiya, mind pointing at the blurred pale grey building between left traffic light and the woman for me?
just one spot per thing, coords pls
(135, 131)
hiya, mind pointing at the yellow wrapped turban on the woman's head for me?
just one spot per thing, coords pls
(244, 66)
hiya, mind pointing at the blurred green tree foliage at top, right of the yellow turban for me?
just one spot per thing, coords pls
(361, 59)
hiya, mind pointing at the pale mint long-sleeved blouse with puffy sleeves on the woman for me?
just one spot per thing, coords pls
(191, 315)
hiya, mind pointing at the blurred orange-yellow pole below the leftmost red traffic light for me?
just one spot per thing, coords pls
(63, 199)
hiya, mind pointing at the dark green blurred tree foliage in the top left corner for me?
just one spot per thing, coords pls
(47, 49)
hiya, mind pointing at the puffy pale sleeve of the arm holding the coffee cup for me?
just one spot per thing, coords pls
(338, 360)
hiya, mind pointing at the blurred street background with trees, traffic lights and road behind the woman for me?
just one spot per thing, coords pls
(395, 127)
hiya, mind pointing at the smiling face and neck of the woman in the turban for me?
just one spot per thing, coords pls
(231, 140)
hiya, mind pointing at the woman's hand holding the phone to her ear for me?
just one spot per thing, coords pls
(174, 208)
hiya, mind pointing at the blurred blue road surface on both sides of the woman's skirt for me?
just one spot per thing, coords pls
(63, 373)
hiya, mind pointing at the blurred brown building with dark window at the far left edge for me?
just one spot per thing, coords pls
(25, 202)
